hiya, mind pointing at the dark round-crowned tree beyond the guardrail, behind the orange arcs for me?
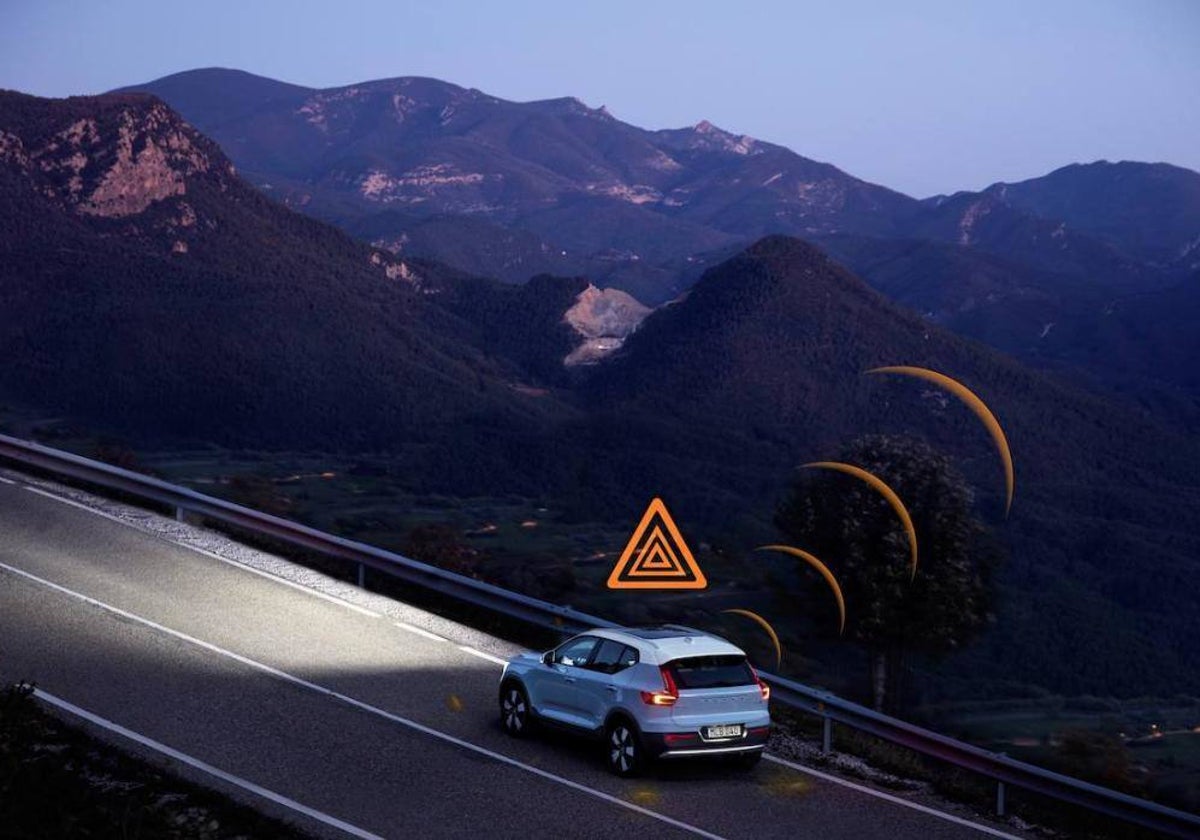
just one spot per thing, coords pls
(855, 531)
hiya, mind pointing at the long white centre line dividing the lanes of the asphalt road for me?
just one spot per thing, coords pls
(367, 707)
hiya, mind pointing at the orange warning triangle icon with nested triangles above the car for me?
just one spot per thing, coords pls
(657, 556)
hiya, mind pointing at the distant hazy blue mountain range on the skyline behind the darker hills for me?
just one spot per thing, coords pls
(1067, 272)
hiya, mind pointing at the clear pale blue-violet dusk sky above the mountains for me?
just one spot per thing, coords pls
(923, 98)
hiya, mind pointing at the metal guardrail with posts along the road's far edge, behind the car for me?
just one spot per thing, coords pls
(829, 707)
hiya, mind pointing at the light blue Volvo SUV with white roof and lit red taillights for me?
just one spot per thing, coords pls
(656, 693)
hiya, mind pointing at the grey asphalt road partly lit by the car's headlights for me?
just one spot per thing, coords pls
(375, 728)
